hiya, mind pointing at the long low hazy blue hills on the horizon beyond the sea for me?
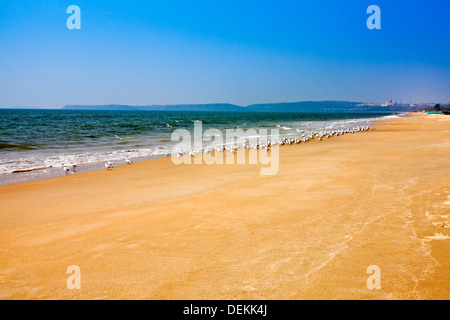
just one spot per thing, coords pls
(302, 106)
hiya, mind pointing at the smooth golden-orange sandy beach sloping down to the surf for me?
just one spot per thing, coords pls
(153, 230)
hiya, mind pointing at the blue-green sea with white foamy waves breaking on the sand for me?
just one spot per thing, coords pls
(39, 140)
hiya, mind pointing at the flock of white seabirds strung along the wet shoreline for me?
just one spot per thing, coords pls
(320, 135)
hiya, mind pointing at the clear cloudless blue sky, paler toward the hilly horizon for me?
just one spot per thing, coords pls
(241, 52)
